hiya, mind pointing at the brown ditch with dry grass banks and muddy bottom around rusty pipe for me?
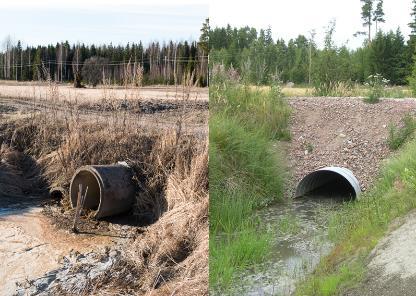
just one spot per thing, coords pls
(161, 244)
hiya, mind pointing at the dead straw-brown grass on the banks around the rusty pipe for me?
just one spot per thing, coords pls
(170, 168)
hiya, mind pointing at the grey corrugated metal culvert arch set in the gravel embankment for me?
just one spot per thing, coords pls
(330, 182)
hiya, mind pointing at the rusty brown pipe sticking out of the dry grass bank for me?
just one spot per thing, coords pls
(110, 189)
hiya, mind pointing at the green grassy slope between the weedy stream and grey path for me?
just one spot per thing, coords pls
(358, 227)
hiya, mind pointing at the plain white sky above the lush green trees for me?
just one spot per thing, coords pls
(289, 18)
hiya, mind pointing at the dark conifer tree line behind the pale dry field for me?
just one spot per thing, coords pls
(167, 63)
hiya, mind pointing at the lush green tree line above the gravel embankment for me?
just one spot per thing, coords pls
(261, 60)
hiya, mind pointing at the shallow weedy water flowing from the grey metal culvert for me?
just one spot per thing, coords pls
(300, 230)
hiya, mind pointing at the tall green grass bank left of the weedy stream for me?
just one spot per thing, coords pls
(244, 173)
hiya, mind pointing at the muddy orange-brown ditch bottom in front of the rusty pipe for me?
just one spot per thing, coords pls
(33, 248)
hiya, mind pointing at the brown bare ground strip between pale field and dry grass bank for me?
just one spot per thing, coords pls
(156, 114)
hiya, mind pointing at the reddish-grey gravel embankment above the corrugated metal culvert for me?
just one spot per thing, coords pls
(343, 132)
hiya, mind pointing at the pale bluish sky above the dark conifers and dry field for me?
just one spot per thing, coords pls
(101, 21)
